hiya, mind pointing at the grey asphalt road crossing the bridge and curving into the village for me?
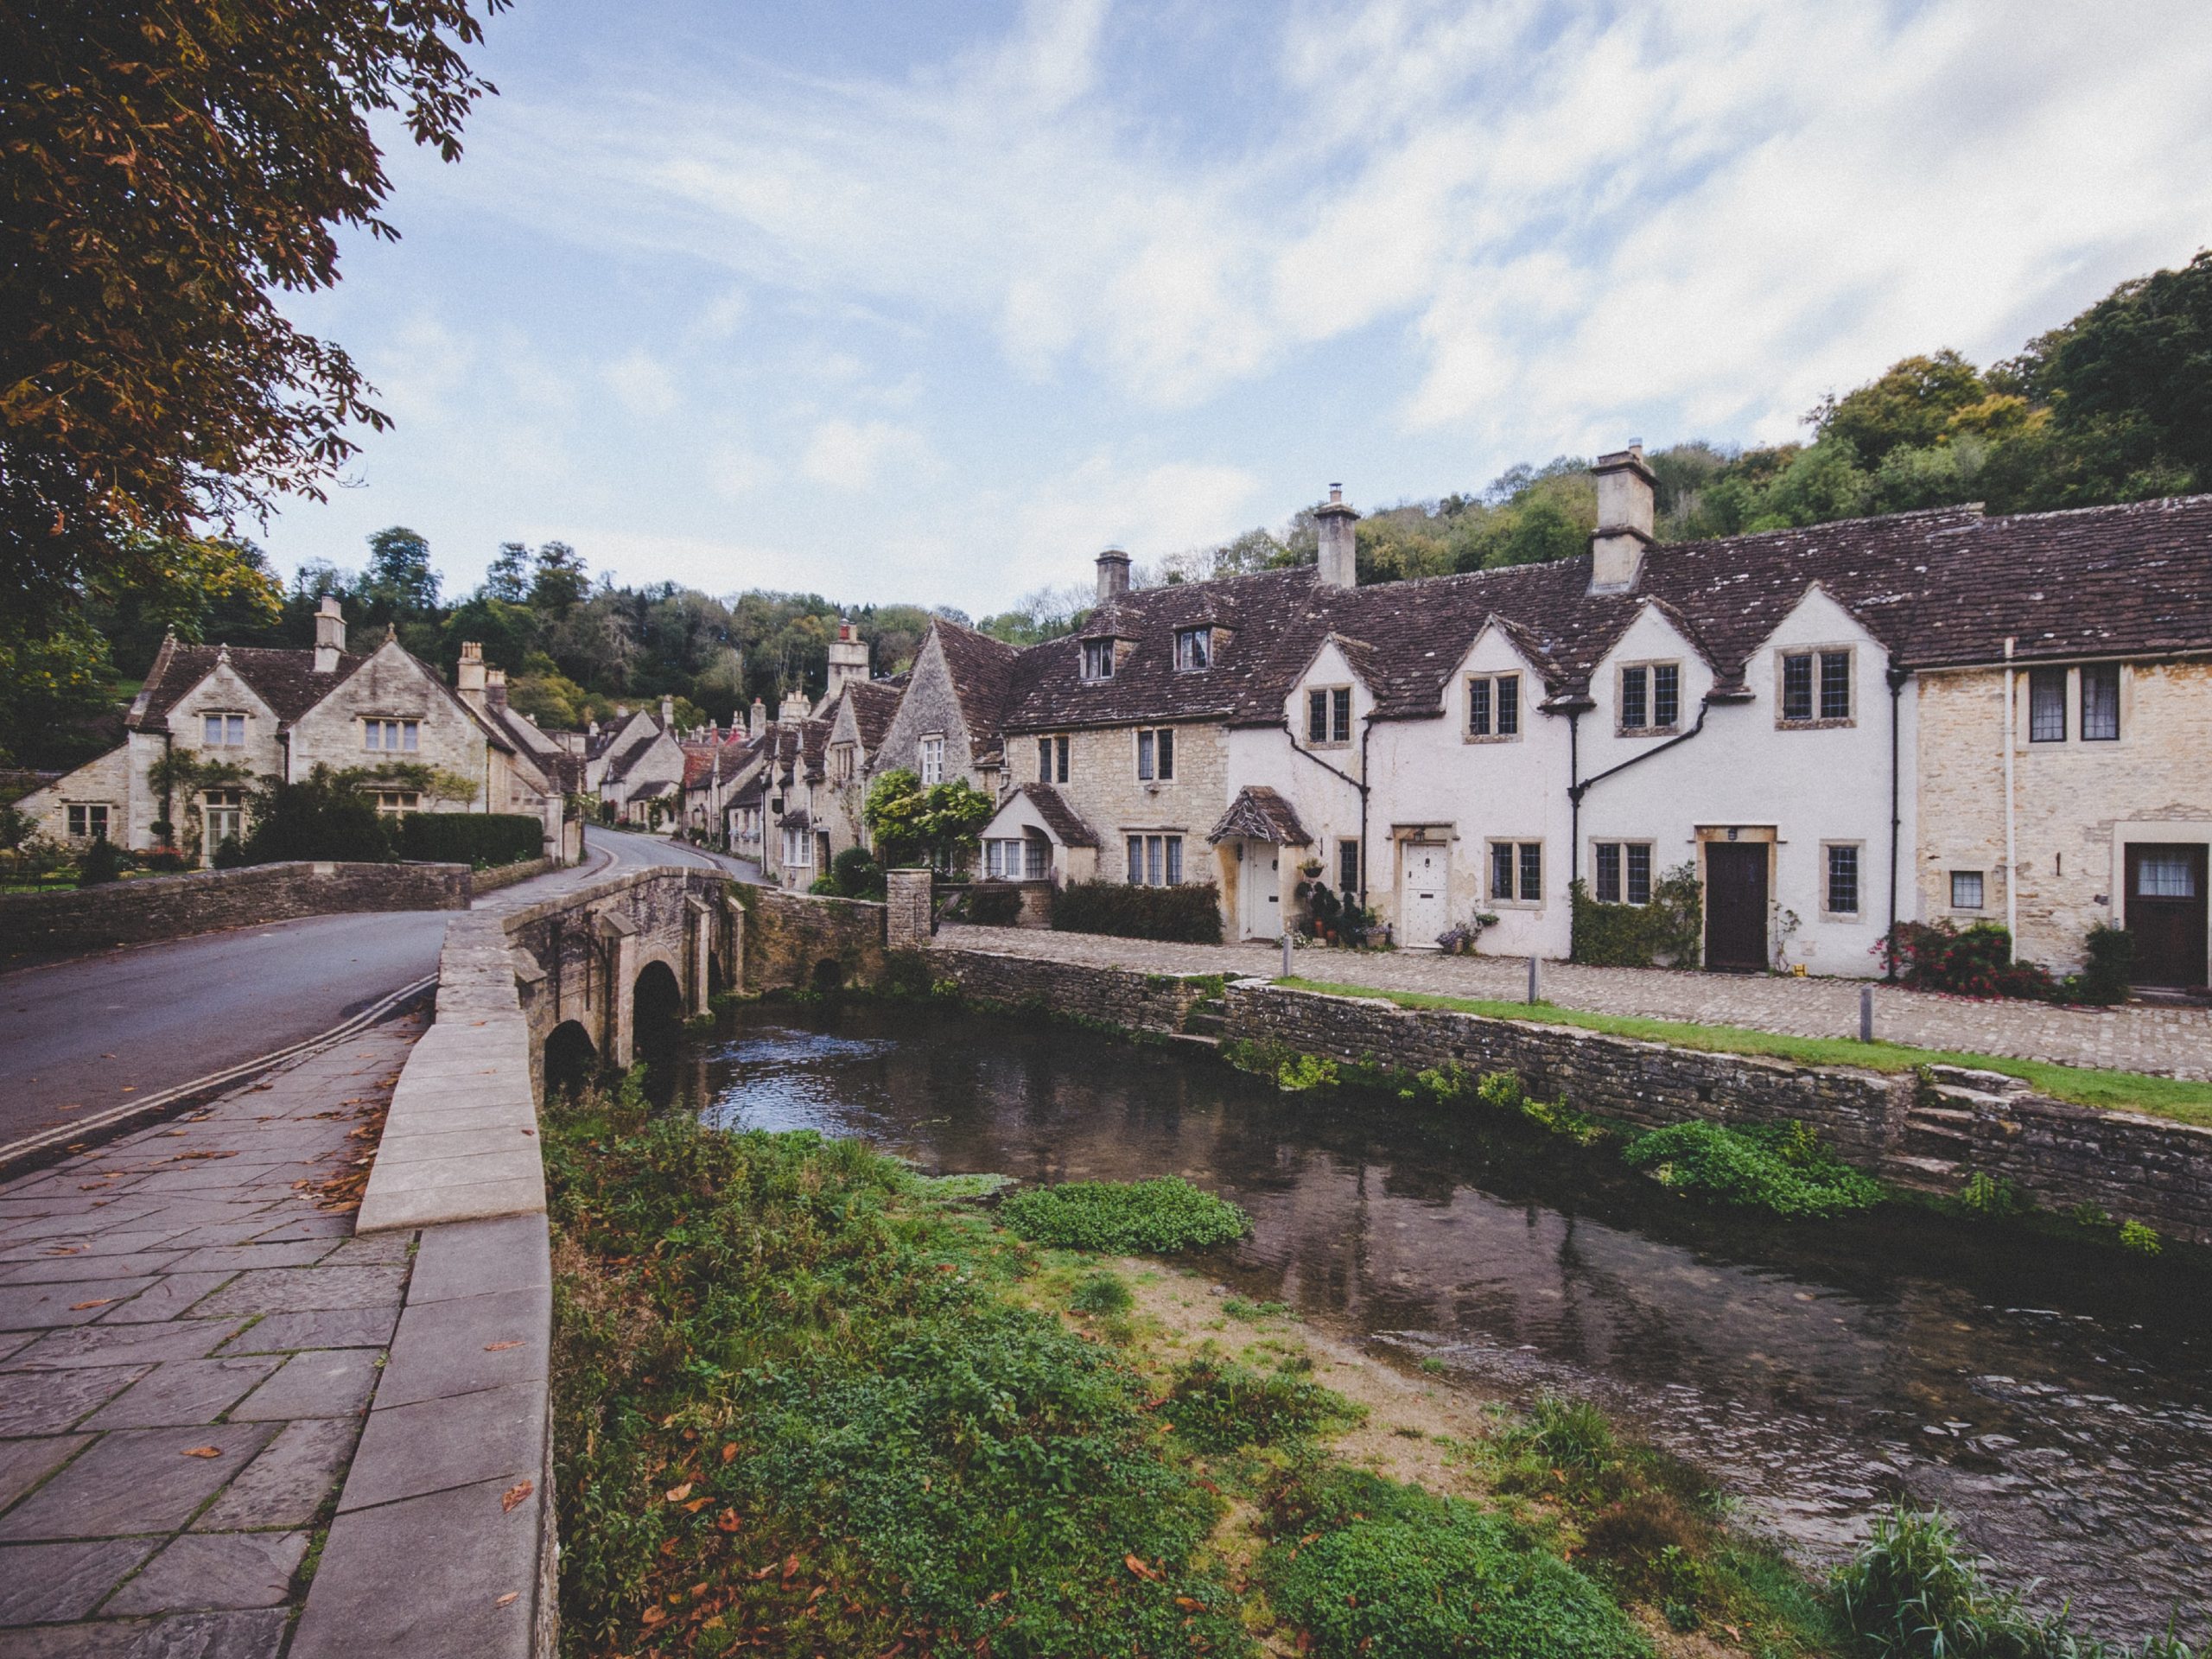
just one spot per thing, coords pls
(92, 1034)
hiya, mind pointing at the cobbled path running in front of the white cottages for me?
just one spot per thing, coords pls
(2171, 1043)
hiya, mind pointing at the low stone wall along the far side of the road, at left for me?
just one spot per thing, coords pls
(152, 908)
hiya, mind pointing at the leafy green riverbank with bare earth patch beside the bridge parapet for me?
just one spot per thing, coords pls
(811, 1404)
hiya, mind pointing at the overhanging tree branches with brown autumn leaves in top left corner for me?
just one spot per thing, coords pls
(169, 169)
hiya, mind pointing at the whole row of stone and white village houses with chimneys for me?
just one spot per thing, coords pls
(1912, 718)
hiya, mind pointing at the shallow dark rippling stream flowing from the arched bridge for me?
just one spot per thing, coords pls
(2058, 1399)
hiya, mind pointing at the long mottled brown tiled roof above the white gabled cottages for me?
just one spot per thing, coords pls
(1939, 587)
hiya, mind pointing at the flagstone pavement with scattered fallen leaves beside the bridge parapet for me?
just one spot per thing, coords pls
(189, 1342)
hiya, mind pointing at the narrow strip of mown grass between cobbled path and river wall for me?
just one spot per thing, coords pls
(2187, 1103)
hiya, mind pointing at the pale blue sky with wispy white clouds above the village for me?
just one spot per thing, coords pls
(930, 304)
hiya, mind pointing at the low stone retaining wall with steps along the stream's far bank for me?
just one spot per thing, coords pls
(1923, 1131)
